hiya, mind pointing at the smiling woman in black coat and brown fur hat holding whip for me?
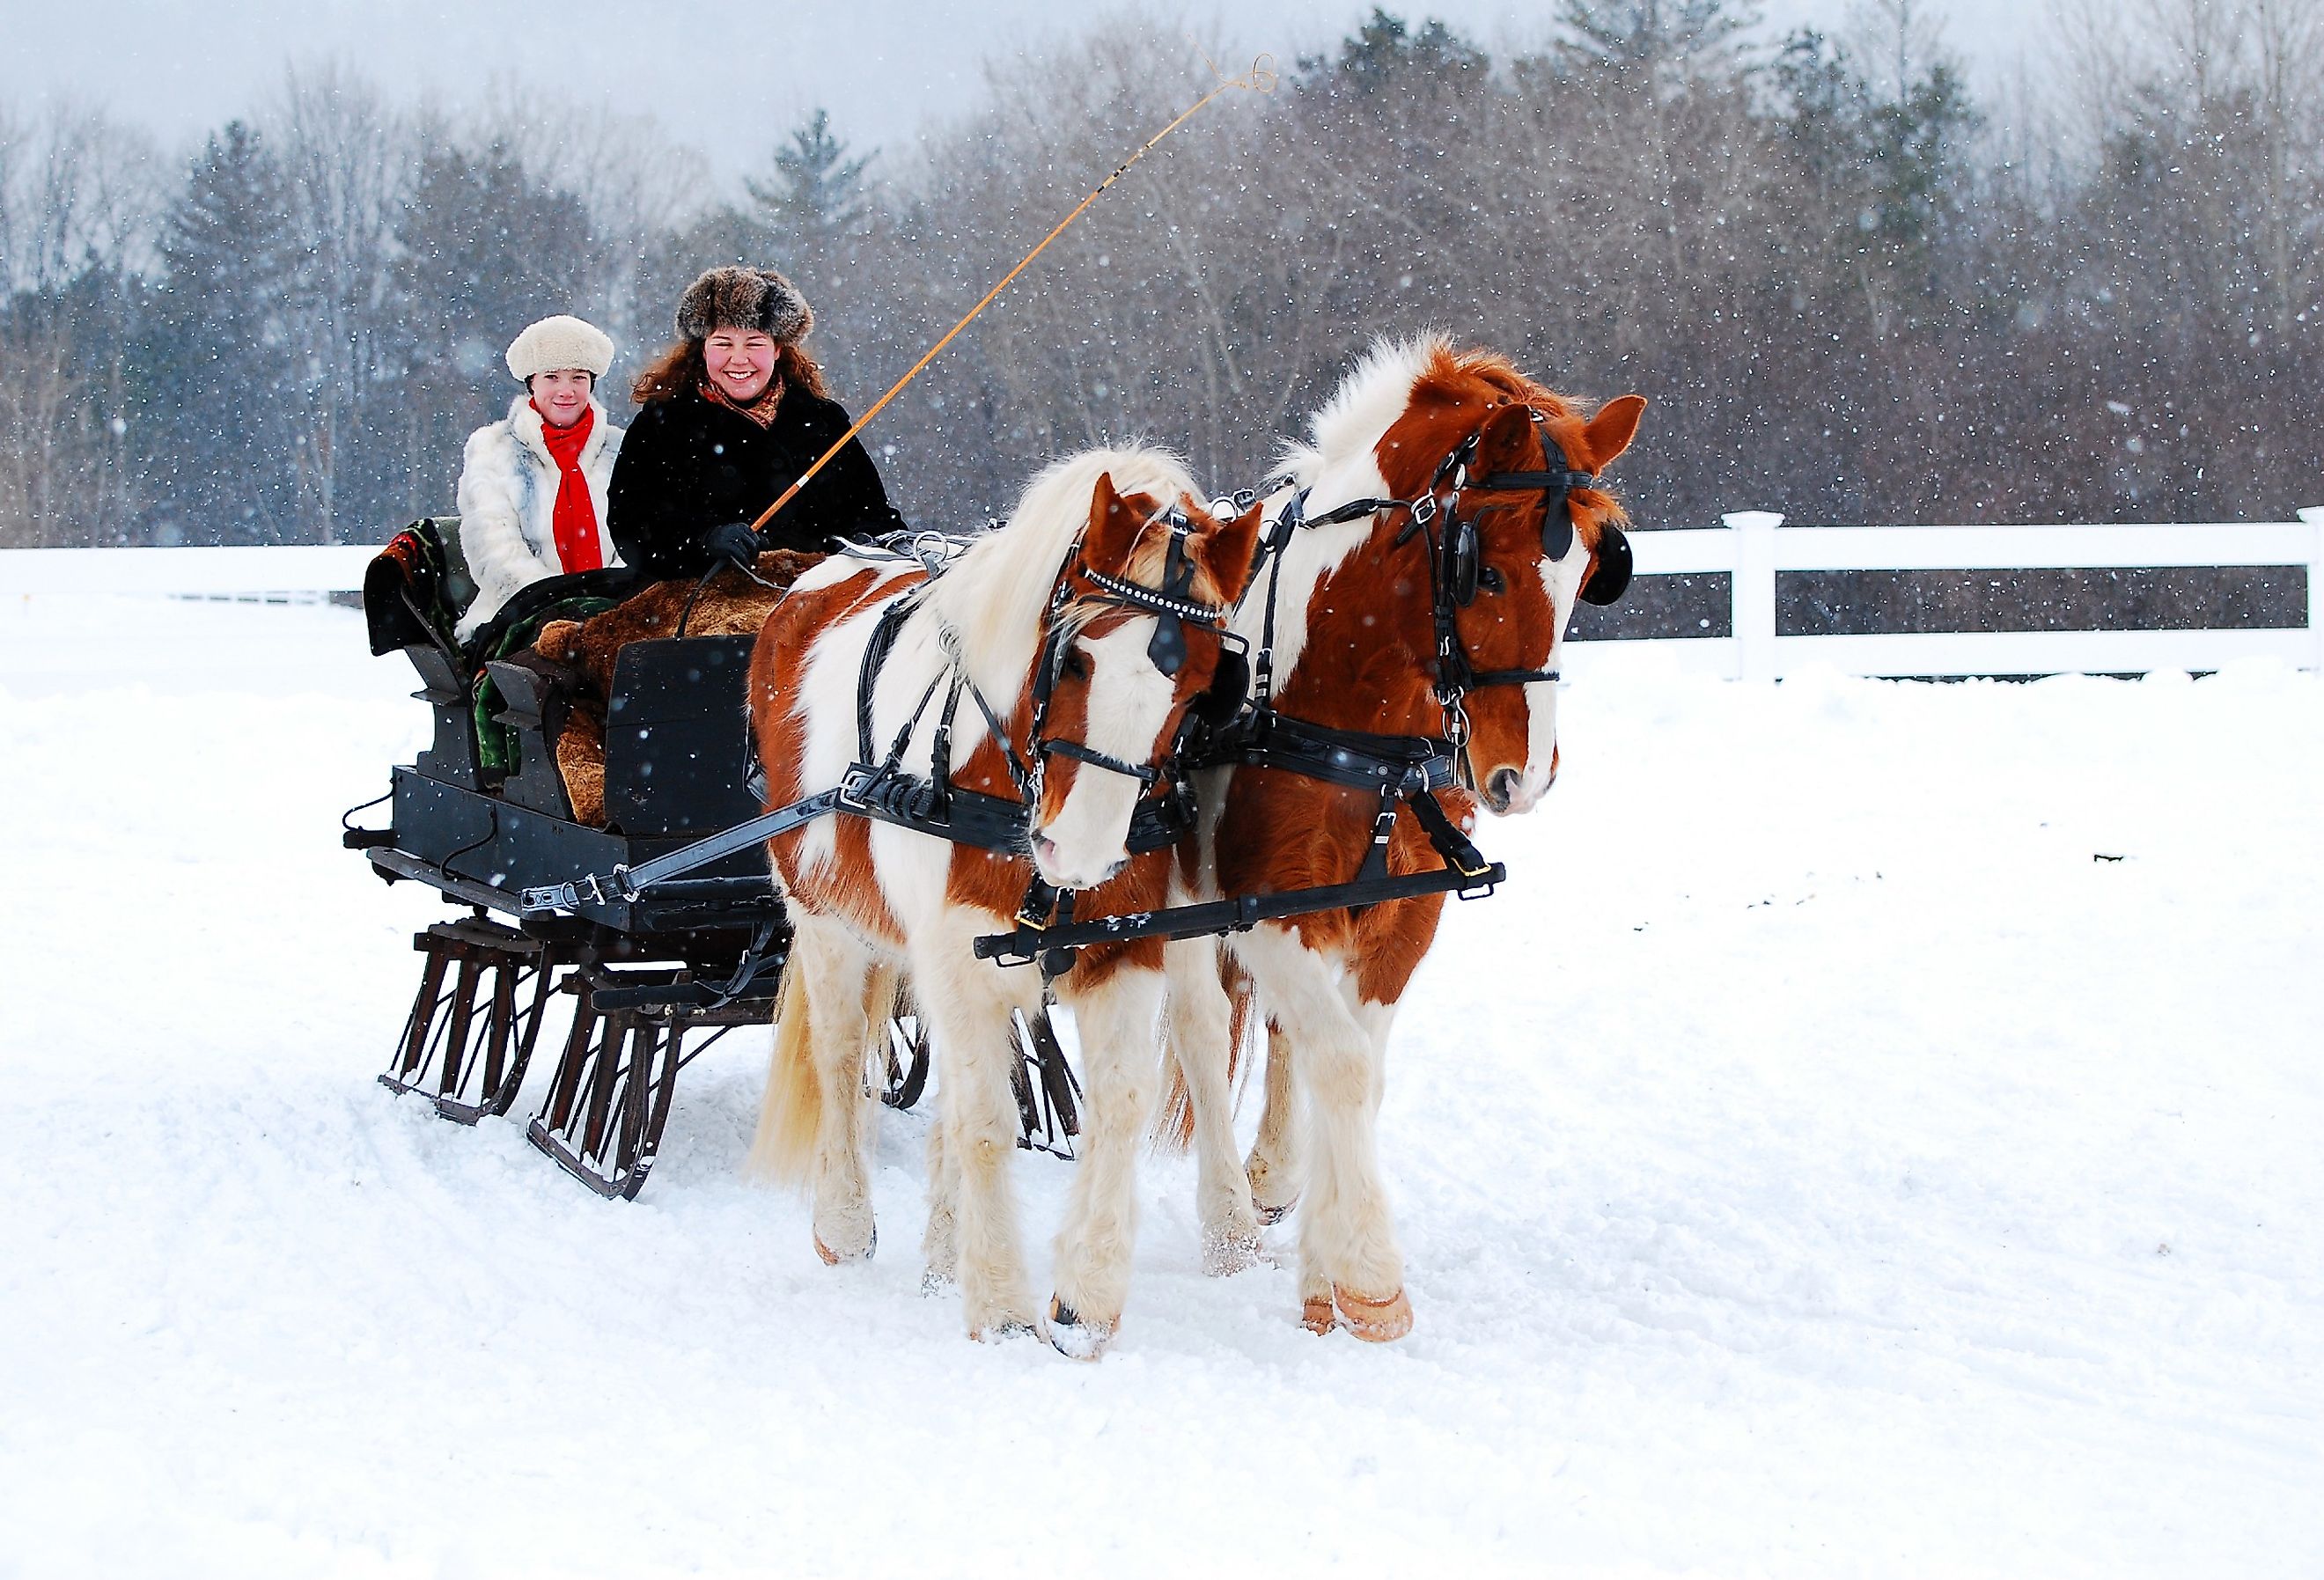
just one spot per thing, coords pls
(733, 415)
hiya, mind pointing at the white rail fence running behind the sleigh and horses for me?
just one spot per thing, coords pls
(1751, 550)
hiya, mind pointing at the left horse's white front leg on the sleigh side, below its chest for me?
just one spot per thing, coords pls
(970, 1012)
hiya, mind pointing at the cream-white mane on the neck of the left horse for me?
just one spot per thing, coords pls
(996, 591)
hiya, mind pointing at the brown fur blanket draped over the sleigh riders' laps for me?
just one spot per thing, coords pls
(729, 608)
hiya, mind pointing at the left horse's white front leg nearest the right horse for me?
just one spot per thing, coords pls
(1119, 1070)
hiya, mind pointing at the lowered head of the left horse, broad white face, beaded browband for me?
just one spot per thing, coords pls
(1138, 642)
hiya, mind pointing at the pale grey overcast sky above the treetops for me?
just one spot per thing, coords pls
(724, 78)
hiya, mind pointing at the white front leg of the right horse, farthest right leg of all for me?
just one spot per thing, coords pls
(1349, 1251)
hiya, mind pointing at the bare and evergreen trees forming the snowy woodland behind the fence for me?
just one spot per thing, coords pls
(1851, 289)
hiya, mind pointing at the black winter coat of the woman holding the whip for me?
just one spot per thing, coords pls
(689, 466)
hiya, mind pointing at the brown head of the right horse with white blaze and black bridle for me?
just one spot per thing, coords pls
(1516, 536)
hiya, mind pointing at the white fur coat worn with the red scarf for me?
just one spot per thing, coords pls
(510, 498)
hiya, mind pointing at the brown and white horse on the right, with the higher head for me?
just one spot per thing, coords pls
(1358, 647)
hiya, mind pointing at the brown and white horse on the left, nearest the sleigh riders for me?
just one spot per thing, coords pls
(1084, 556)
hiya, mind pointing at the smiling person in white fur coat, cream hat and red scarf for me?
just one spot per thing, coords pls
(533, 484)
